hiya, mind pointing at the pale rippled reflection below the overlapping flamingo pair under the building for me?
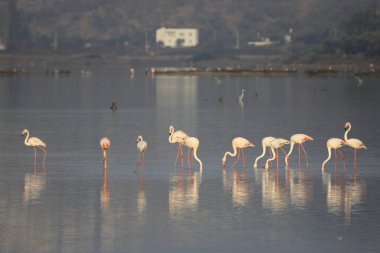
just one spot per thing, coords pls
(184, 192)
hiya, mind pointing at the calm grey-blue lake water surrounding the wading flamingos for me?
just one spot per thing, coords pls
(74, 208)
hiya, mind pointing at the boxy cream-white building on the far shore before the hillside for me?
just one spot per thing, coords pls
(177, 37)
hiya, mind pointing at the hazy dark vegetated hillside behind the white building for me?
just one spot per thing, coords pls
(125, 25)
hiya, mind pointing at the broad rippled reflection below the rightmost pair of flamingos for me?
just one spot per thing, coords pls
(343, 194)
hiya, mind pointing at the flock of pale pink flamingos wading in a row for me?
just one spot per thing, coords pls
(239, 144)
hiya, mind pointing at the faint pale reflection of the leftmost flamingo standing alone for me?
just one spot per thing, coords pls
(34, 185)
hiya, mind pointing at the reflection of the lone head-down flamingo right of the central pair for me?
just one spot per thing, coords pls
(239, 186)
